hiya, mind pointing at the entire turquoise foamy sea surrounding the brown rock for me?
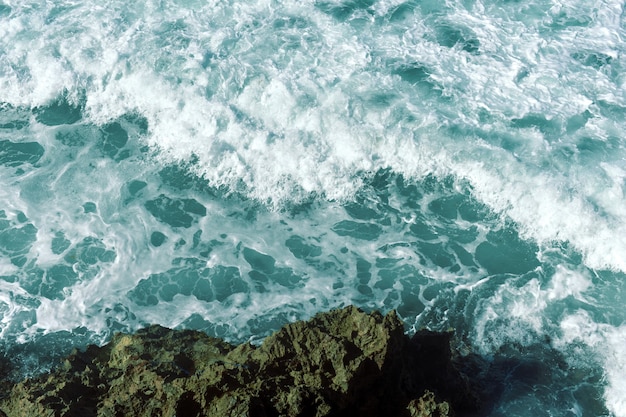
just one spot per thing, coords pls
(234, 166)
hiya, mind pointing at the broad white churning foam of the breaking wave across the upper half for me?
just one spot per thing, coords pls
(321, 148)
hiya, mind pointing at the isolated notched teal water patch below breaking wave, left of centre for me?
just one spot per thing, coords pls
(174, 212)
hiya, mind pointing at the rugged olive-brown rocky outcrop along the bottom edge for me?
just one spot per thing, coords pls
(341, 363)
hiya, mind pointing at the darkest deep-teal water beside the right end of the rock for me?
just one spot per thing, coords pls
(515, 376)
